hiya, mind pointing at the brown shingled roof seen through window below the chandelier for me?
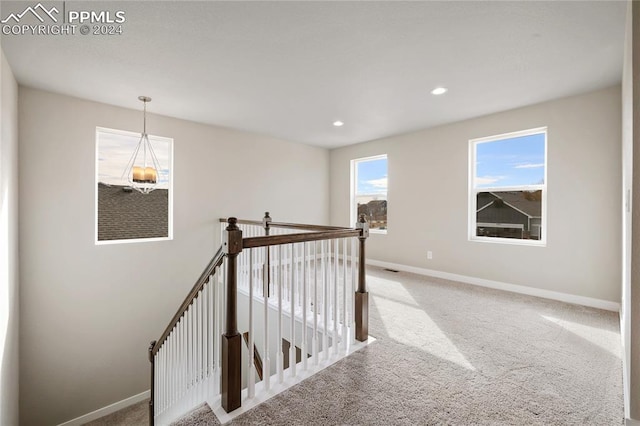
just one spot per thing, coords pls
(129, 214)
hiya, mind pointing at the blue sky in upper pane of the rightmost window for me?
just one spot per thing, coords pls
(511, 162)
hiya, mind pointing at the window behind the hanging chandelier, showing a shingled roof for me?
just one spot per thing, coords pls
(123, 214)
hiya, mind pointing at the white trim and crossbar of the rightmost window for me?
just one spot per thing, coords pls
(472, 192)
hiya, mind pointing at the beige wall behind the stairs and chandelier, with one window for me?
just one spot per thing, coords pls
(89, 312)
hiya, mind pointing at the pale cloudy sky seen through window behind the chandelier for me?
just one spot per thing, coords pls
(115, 150)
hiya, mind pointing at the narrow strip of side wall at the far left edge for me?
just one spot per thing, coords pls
(9, 360)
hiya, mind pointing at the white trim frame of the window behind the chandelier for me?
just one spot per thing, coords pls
(152, 138)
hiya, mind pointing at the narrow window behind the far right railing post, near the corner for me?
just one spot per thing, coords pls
(369, 191)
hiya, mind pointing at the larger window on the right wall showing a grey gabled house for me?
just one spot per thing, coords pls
(508, 187)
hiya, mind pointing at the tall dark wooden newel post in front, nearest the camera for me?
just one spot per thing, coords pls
(231, 339)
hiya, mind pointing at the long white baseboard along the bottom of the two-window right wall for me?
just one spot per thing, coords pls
(513, 288)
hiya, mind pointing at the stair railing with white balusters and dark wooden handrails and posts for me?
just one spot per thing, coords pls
(311, 276)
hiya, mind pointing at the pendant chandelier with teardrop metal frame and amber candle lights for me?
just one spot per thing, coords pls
(142, 170)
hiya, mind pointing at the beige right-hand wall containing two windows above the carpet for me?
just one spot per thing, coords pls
(428, 207)
